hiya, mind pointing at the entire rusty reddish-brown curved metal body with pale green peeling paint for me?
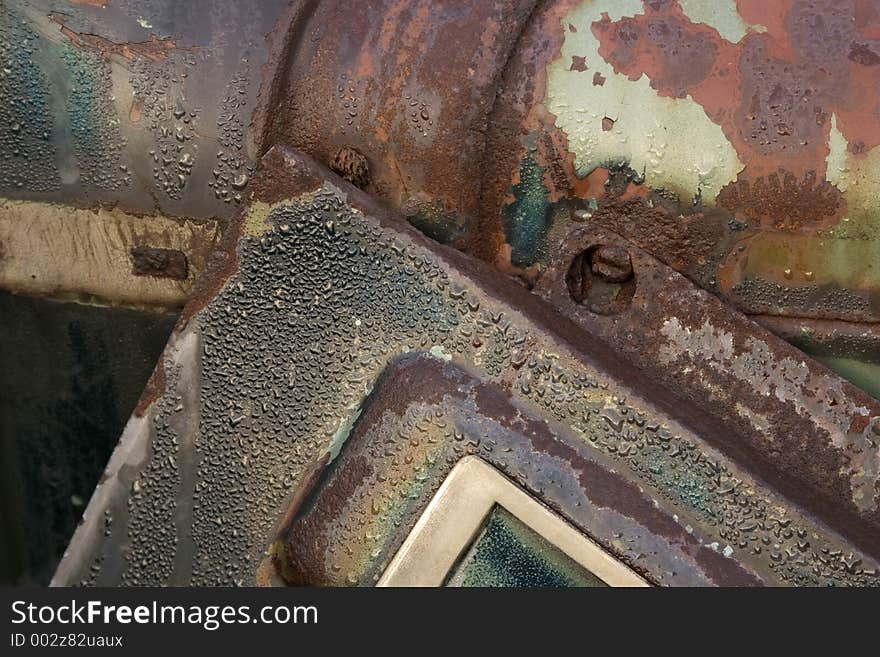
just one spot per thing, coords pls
(711, 134)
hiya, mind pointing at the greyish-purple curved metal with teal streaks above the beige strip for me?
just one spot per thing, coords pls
(143, 102)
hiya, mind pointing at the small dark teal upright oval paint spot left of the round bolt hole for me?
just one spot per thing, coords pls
(527, 219)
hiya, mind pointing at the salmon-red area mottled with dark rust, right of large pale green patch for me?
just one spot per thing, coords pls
(773, 94)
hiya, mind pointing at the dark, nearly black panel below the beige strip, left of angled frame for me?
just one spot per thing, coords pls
(70, 376)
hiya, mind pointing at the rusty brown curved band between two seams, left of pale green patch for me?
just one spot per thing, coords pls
(409, 86)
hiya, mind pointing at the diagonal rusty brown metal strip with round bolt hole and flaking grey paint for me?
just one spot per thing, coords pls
(781, 413)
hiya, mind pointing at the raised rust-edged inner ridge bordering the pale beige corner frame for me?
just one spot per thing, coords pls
(423, 418)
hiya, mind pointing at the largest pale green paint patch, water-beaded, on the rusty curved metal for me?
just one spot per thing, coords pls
(671, 141)
